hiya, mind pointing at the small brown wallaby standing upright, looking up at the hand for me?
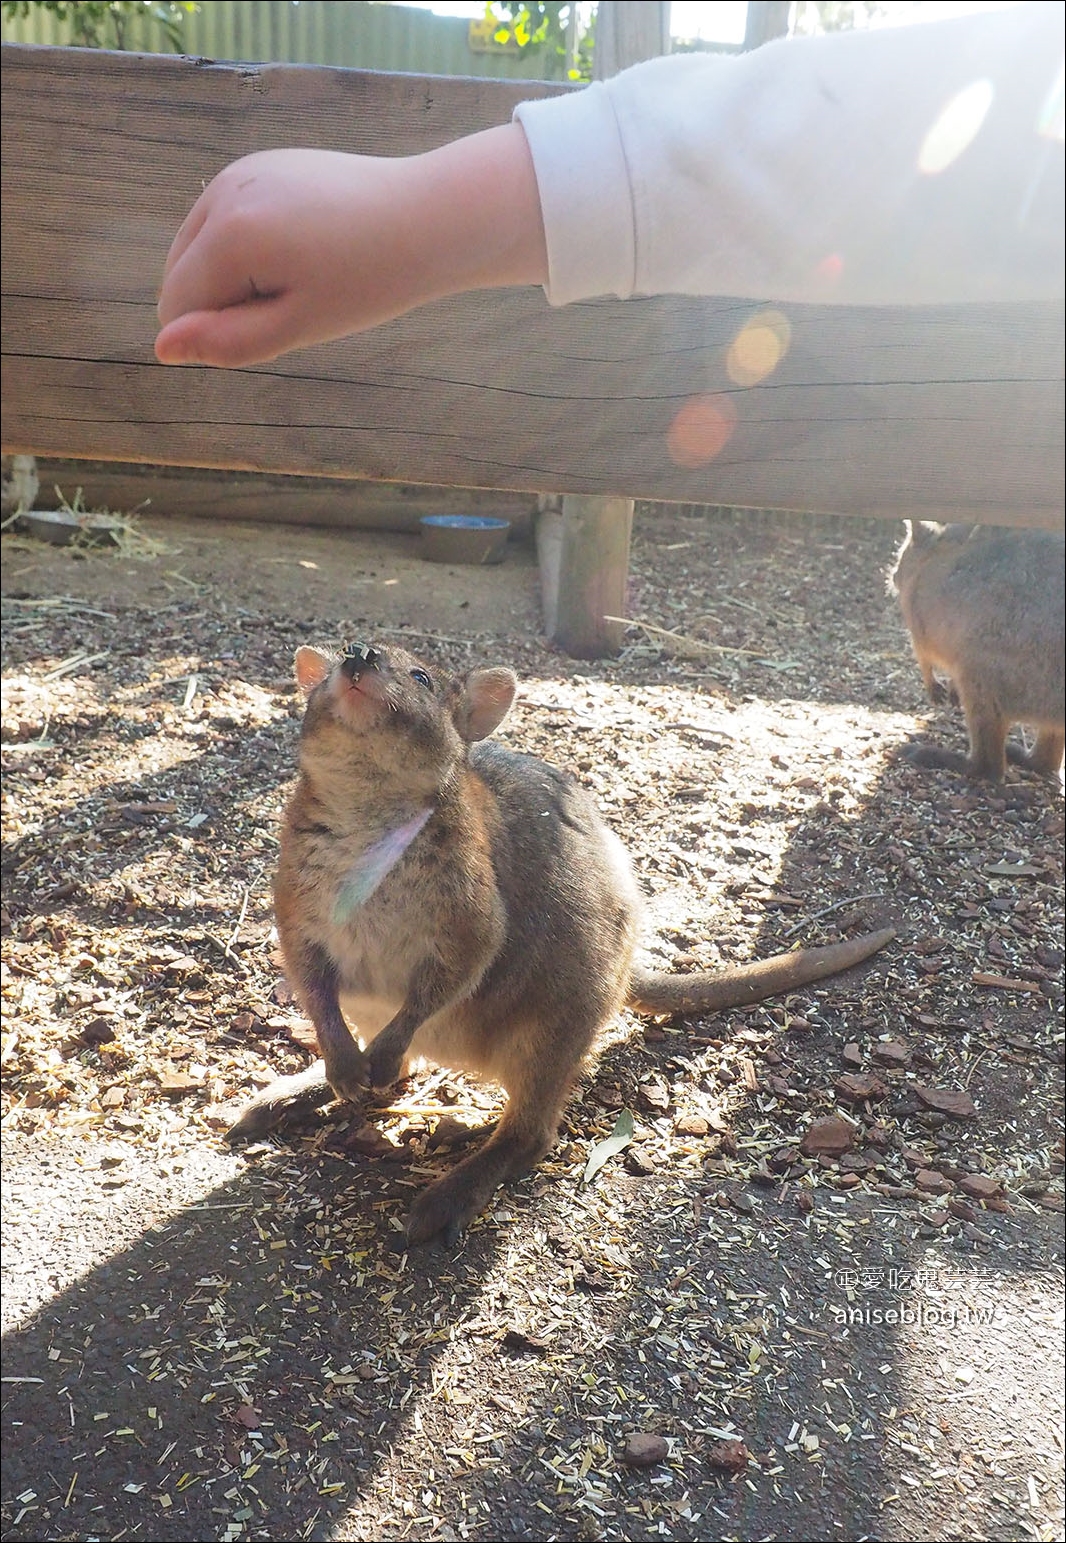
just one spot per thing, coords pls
(462, 902)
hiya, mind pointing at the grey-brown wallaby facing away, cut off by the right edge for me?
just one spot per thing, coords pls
(985, 606)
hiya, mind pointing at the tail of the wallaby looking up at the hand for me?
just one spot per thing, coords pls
(737, 988)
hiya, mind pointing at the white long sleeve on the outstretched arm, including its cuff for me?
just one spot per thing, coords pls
(899, 166)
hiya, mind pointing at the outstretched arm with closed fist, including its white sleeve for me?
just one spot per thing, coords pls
(905, 167)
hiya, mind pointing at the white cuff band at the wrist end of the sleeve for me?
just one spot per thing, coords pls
(585, 195)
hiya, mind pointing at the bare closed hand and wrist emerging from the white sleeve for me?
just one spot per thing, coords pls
(291, 248)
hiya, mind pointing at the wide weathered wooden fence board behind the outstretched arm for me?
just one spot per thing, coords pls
(943, 411)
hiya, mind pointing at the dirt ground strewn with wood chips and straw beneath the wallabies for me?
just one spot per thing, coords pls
(820, 1331)
